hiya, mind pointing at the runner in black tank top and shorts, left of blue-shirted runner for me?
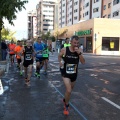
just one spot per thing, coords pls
(28, 53)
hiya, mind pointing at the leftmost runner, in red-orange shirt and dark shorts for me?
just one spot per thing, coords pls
(11, 48)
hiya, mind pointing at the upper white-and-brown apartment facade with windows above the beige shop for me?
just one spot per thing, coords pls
(73, 11)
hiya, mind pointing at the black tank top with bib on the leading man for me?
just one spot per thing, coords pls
(71, 62)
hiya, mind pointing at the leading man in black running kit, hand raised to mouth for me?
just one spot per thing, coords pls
(72, 56)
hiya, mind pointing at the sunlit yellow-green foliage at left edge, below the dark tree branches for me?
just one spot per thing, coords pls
(6, 34)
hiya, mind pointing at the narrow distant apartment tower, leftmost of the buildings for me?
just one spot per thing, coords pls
(32, 24)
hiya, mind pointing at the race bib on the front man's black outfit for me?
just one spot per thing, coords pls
(71, 68)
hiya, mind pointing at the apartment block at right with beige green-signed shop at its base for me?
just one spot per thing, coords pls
(96, 22)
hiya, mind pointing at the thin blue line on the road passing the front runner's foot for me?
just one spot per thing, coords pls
(84, 118)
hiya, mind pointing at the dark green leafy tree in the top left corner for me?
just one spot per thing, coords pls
(8, 10)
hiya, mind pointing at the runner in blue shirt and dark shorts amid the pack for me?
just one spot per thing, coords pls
(39, 47)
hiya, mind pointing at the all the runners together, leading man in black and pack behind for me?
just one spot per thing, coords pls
(68, 58)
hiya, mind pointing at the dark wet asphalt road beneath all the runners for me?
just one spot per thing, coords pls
(96, 95)
